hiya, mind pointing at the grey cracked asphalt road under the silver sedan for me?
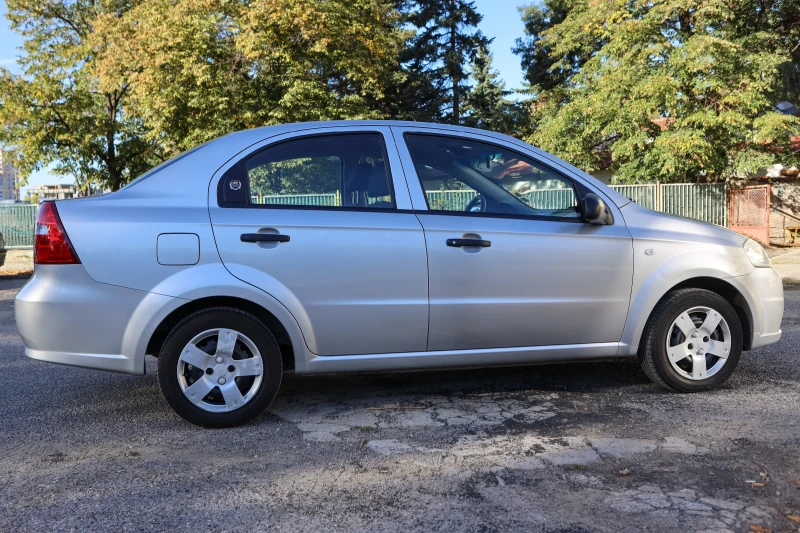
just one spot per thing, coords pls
(568, 448)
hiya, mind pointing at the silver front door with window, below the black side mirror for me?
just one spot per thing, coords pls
(511, 261)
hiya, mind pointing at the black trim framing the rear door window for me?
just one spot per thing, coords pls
(239, 167)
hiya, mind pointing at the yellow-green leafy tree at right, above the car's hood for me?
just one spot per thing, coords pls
(680, 90)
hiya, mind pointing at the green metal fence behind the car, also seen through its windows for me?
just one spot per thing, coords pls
(705, 202)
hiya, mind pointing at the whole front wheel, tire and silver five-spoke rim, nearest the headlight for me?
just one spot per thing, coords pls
(692, 341)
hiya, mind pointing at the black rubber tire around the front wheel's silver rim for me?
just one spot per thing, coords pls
(653, 350)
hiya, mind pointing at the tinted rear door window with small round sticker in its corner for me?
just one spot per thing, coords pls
(323, 171)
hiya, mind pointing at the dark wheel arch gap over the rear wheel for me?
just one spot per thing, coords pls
(272, 322)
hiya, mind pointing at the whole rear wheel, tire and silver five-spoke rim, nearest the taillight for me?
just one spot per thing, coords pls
(220, 367)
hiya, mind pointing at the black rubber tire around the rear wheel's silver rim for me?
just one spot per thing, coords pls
(212, 318)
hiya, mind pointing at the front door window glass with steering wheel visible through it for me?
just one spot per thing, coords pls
(462, 175)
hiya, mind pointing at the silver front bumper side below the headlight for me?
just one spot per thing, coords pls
(763, 290)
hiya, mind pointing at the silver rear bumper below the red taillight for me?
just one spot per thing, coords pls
(65, 317)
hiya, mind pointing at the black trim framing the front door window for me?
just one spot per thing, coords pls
(580, 219)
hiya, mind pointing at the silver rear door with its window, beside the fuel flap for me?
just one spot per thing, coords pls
(322, 221)
